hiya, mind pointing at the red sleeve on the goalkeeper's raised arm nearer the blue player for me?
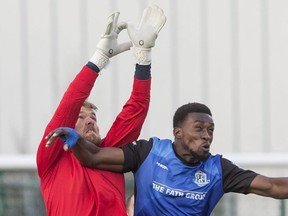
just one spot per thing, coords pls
(128, 124)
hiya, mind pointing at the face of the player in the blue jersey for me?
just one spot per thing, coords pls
(194, 137)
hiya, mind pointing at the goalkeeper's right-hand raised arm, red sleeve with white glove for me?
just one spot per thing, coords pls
(128, 124)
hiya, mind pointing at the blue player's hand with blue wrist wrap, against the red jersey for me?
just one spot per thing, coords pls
(68, 135)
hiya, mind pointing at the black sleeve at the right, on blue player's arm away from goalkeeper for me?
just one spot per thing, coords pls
(236, 179)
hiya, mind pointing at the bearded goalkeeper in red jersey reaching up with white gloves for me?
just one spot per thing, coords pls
(67, 187)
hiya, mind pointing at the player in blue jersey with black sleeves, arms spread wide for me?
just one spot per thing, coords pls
(179, 177)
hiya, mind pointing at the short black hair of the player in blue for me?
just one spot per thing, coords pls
(182, 112)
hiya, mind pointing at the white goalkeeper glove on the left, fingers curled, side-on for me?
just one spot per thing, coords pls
(108, 45)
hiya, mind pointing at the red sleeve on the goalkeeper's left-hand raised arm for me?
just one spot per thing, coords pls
(66, 115)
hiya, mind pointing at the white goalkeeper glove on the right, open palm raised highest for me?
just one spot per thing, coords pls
(144, 37)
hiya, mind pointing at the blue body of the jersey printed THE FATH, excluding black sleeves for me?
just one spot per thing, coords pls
(170, 187)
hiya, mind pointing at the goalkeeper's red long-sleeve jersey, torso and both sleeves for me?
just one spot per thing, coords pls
(71, 189)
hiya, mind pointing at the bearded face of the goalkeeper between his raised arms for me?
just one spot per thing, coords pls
(87, 126)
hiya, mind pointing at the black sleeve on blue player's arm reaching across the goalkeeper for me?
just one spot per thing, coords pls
(135, 153)
